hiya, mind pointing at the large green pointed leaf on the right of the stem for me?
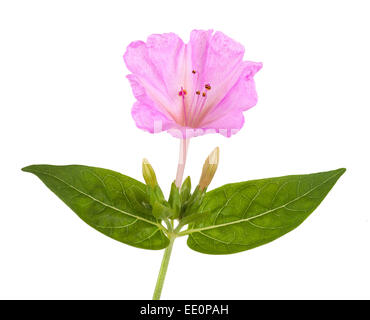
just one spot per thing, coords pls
(245, 215)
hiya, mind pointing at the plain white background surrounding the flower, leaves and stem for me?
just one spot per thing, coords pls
(64, 99)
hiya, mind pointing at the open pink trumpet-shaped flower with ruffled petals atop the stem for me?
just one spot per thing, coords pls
(190, 89)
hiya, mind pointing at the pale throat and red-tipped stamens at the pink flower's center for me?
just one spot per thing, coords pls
(192, 109)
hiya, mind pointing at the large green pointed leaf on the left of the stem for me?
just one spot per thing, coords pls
(110, 202)
